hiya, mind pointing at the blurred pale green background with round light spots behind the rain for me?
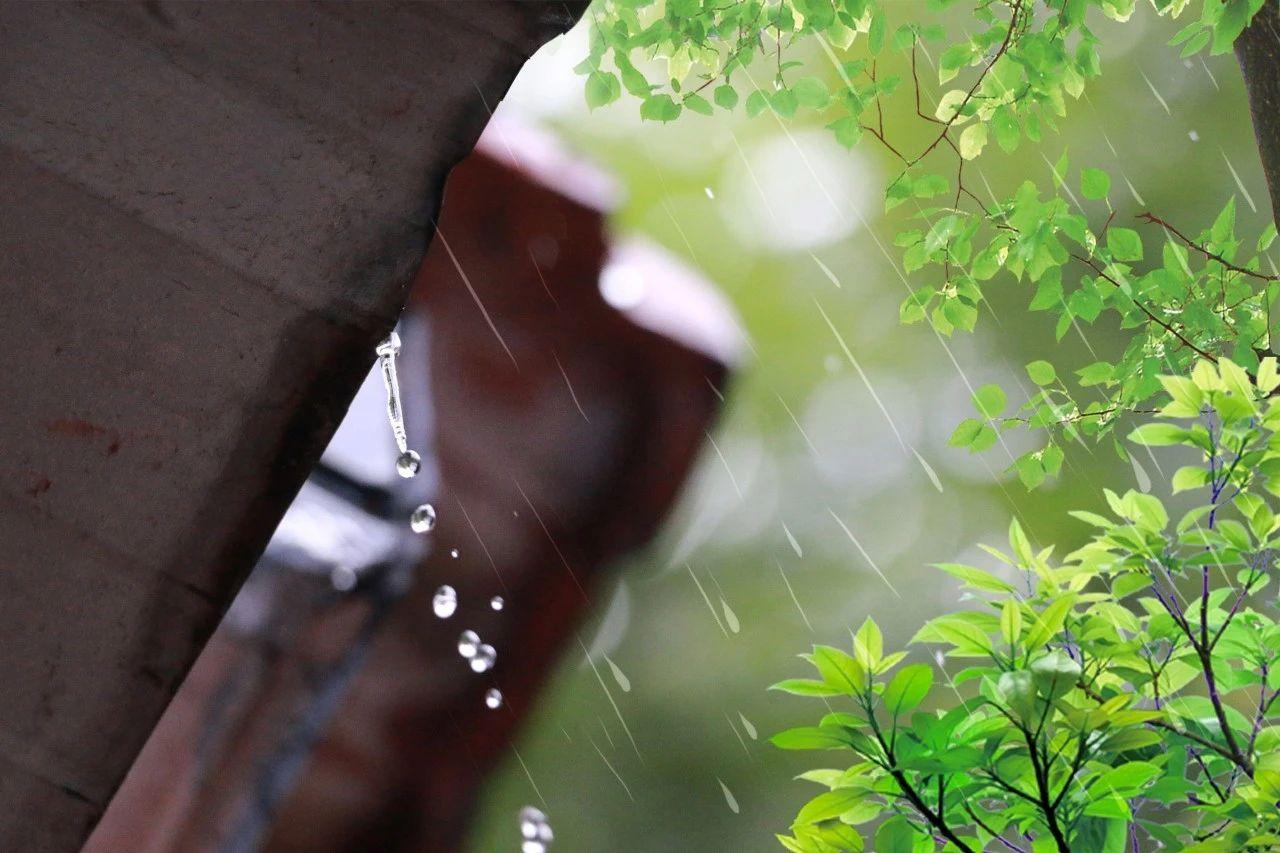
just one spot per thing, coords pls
(705, 622)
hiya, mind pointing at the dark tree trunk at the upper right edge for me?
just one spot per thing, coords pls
(1259, 53)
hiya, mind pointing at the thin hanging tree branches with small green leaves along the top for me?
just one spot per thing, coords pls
(1008, 71)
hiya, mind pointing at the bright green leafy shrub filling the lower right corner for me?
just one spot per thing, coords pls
(1118, 697)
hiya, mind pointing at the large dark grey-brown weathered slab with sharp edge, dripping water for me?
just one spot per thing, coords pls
(211, 213)
